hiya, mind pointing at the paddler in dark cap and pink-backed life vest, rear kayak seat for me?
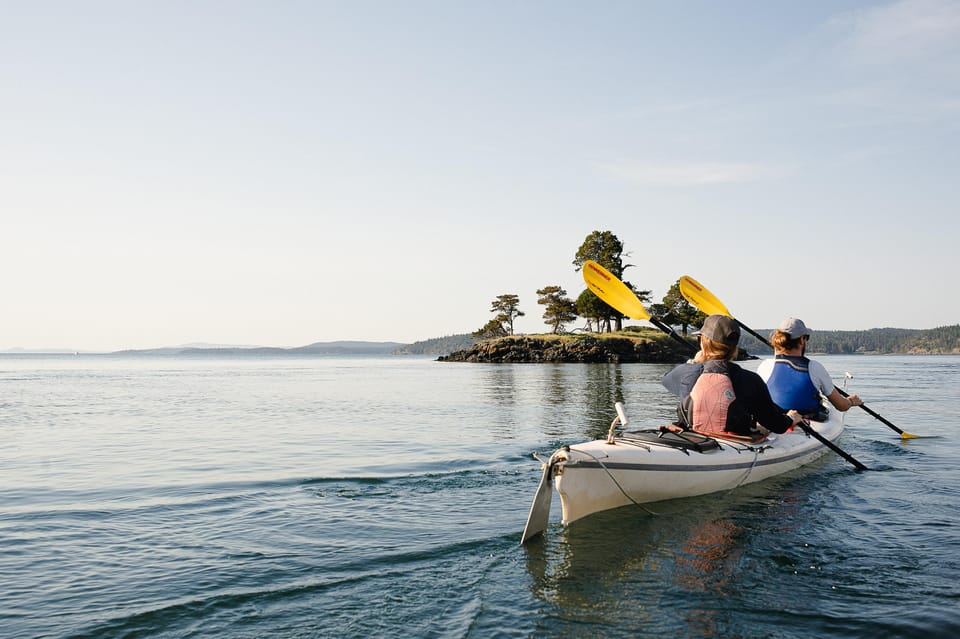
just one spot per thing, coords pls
(718, 396)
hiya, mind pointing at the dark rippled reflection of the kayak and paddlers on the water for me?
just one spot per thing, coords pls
(679, 567)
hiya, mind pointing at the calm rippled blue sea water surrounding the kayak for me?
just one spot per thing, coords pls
(385, 497)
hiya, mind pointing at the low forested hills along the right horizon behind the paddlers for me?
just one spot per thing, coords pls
(943, 340)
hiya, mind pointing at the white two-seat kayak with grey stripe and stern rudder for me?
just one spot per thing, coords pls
(637, 467)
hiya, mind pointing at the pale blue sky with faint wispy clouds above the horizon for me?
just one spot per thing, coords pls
(286, 172)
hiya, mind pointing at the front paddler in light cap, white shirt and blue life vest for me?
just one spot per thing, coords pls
(794, 380)
